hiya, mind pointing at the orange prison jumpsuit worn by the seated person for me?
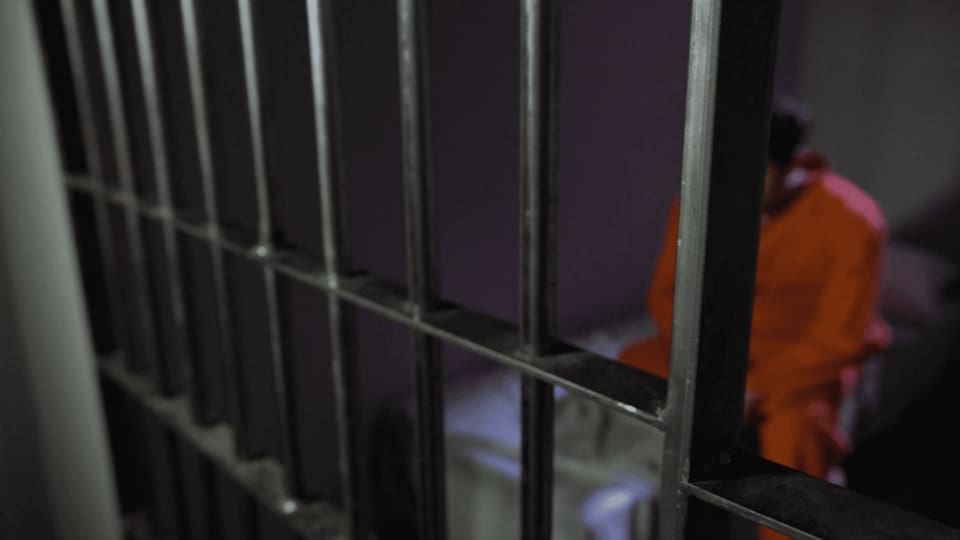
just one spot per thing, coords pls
(814, 322)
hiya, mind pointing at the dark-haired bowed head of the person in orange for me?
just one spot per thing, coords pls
(789, 124)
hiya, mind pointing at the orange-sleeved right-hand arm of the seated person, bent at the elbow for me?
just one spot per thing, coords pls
(834, 338)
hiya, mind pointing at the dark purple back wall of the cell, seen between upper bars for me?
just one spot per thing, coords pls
(622, 88)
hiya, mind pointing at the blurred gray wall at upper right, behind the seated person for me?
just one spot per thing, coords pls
(883, 80)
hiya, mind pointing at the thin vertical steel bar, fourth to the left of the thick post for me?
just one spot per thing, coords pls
(265, 246)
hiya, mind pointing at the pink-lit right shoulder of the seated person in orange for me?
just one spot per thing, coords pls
(848, 205)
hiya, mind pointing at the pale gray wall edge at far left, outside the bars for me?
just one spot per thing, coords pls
(54, 463)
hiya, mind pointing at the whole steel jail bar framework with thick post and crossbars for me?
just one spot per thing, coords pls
(728, 99)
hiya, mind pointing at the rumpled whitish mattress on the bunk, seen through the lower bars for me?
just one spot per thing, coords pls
(606, 465)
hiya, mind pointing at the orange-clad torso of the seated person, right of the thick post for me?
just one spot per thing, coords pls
(818, 272)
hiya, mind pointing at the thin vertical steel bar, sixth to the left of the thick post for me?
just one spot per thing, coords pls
(159, 150)
